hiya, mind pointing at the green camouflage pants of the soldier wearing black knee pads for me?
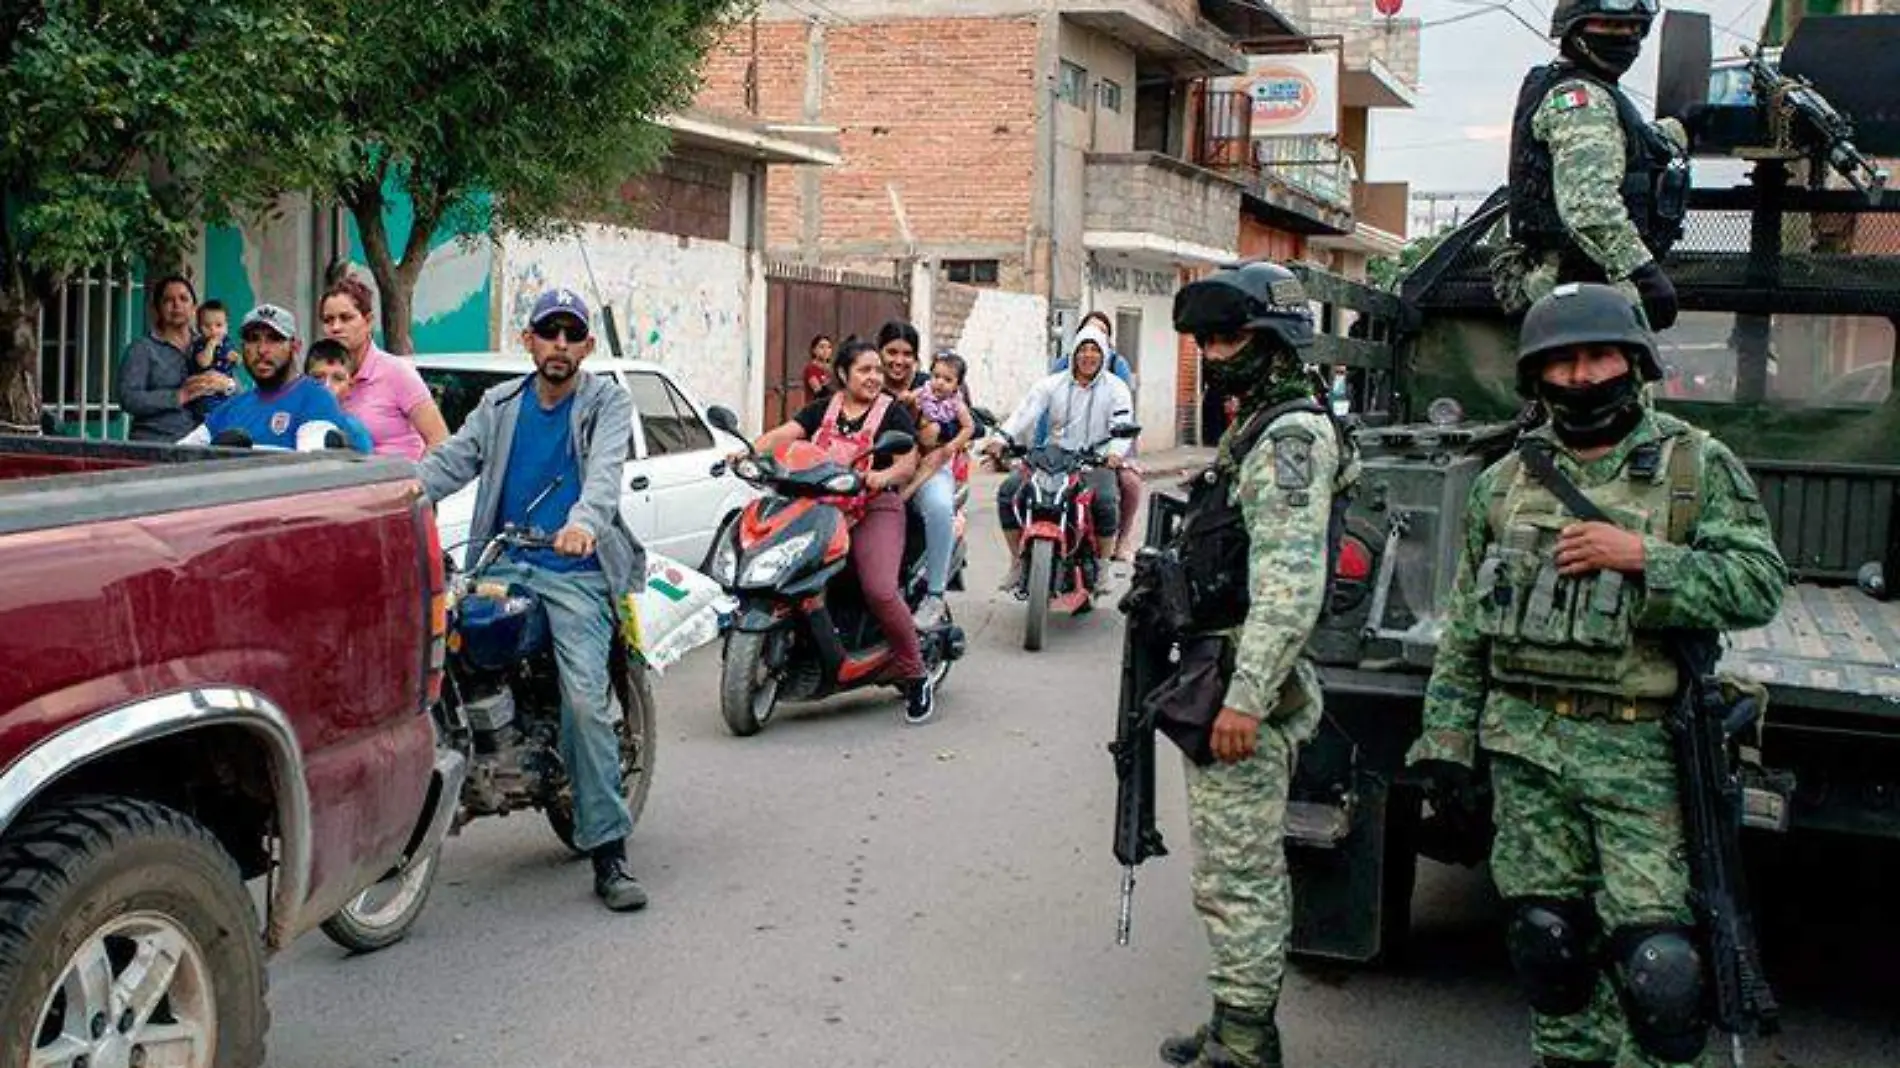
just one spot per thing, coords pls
(1605, 830)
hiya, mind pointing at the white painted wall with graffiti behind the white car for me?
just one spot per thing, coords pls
(683, 303)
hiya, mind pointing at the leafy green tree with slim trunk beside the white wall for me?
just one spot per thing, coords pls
(504, 117)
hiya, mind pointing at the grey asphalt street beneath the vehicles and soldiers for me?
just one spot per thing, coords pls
(845, 892)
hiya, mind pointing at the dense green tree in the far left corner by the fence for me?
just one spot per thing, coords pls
(126, 124)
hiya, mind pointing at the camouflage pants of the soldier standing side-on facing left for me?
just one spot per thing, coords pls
(1238, 816)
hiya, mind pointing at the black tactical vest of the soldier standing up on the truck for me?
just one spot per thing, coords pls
(1656, 178)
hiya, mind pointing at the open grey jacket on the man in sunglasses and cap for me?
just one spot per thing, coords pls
(603, 430)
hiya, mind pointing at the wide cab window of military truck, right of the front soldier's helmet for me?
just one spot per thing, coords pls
(1791, 362)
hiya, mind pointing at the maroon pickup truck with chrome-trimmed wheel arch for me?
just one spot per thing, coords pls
(214, 668)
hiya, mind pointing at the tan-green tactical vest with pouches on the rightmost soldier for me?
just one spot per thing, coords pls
(1576, 632)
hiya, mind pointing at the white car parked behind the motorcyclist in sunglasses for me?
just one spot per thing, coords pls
(679, 489)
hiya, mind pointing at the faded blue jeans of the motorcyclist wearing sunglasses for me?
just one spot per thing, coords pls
(580, 613)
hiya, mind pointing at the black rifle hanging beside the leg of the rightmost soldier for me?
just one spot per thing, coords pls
(1701, 725)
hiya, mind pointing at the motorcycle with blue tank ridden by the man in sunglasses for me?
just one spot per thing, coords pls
(501, 715)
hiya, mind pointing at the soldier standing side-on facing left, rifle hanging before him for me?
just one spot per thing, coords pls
(1259, 527)
